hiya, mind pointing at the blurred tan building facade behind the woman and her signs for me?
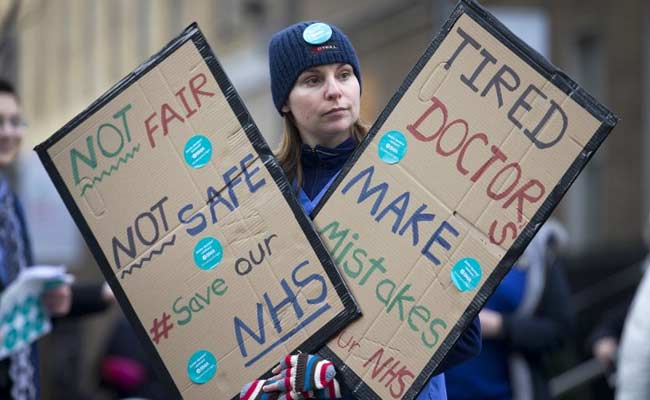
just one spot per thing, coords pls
(66, 53)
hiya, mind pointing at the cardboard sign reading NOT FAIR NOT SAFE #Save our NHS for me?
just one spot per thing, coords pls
(194, 225)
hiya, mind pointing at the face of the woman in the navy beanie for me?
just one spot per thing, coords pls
(324, 103)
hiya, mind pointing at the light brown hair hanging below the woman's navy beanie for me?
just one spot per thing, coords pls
(289, 152)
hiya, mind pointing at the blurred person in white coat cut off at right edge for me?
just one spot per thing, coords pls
(633, 377)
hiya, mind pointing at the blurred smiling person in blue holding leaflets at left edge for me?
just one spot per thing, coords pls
(19, 372)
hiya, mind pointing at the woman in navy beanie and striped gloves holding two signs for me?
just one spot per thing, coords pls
(316, 88)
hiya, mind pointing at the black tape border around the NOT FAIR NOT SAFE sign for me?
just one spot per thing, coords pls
(193, 33)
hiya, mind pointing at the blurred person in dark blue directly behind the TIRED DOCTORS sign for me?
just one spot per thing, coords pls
(528, 316)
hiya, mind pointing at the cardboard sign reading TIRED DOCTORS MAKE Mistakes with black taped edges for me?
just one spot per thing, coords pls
(460, 170)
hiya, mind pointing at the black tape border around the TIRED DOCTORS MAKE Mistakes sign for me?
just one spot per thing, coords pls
(560, 80)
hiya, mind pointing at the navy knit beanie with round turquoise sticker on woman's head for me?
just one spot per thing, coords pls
(302, 46)
